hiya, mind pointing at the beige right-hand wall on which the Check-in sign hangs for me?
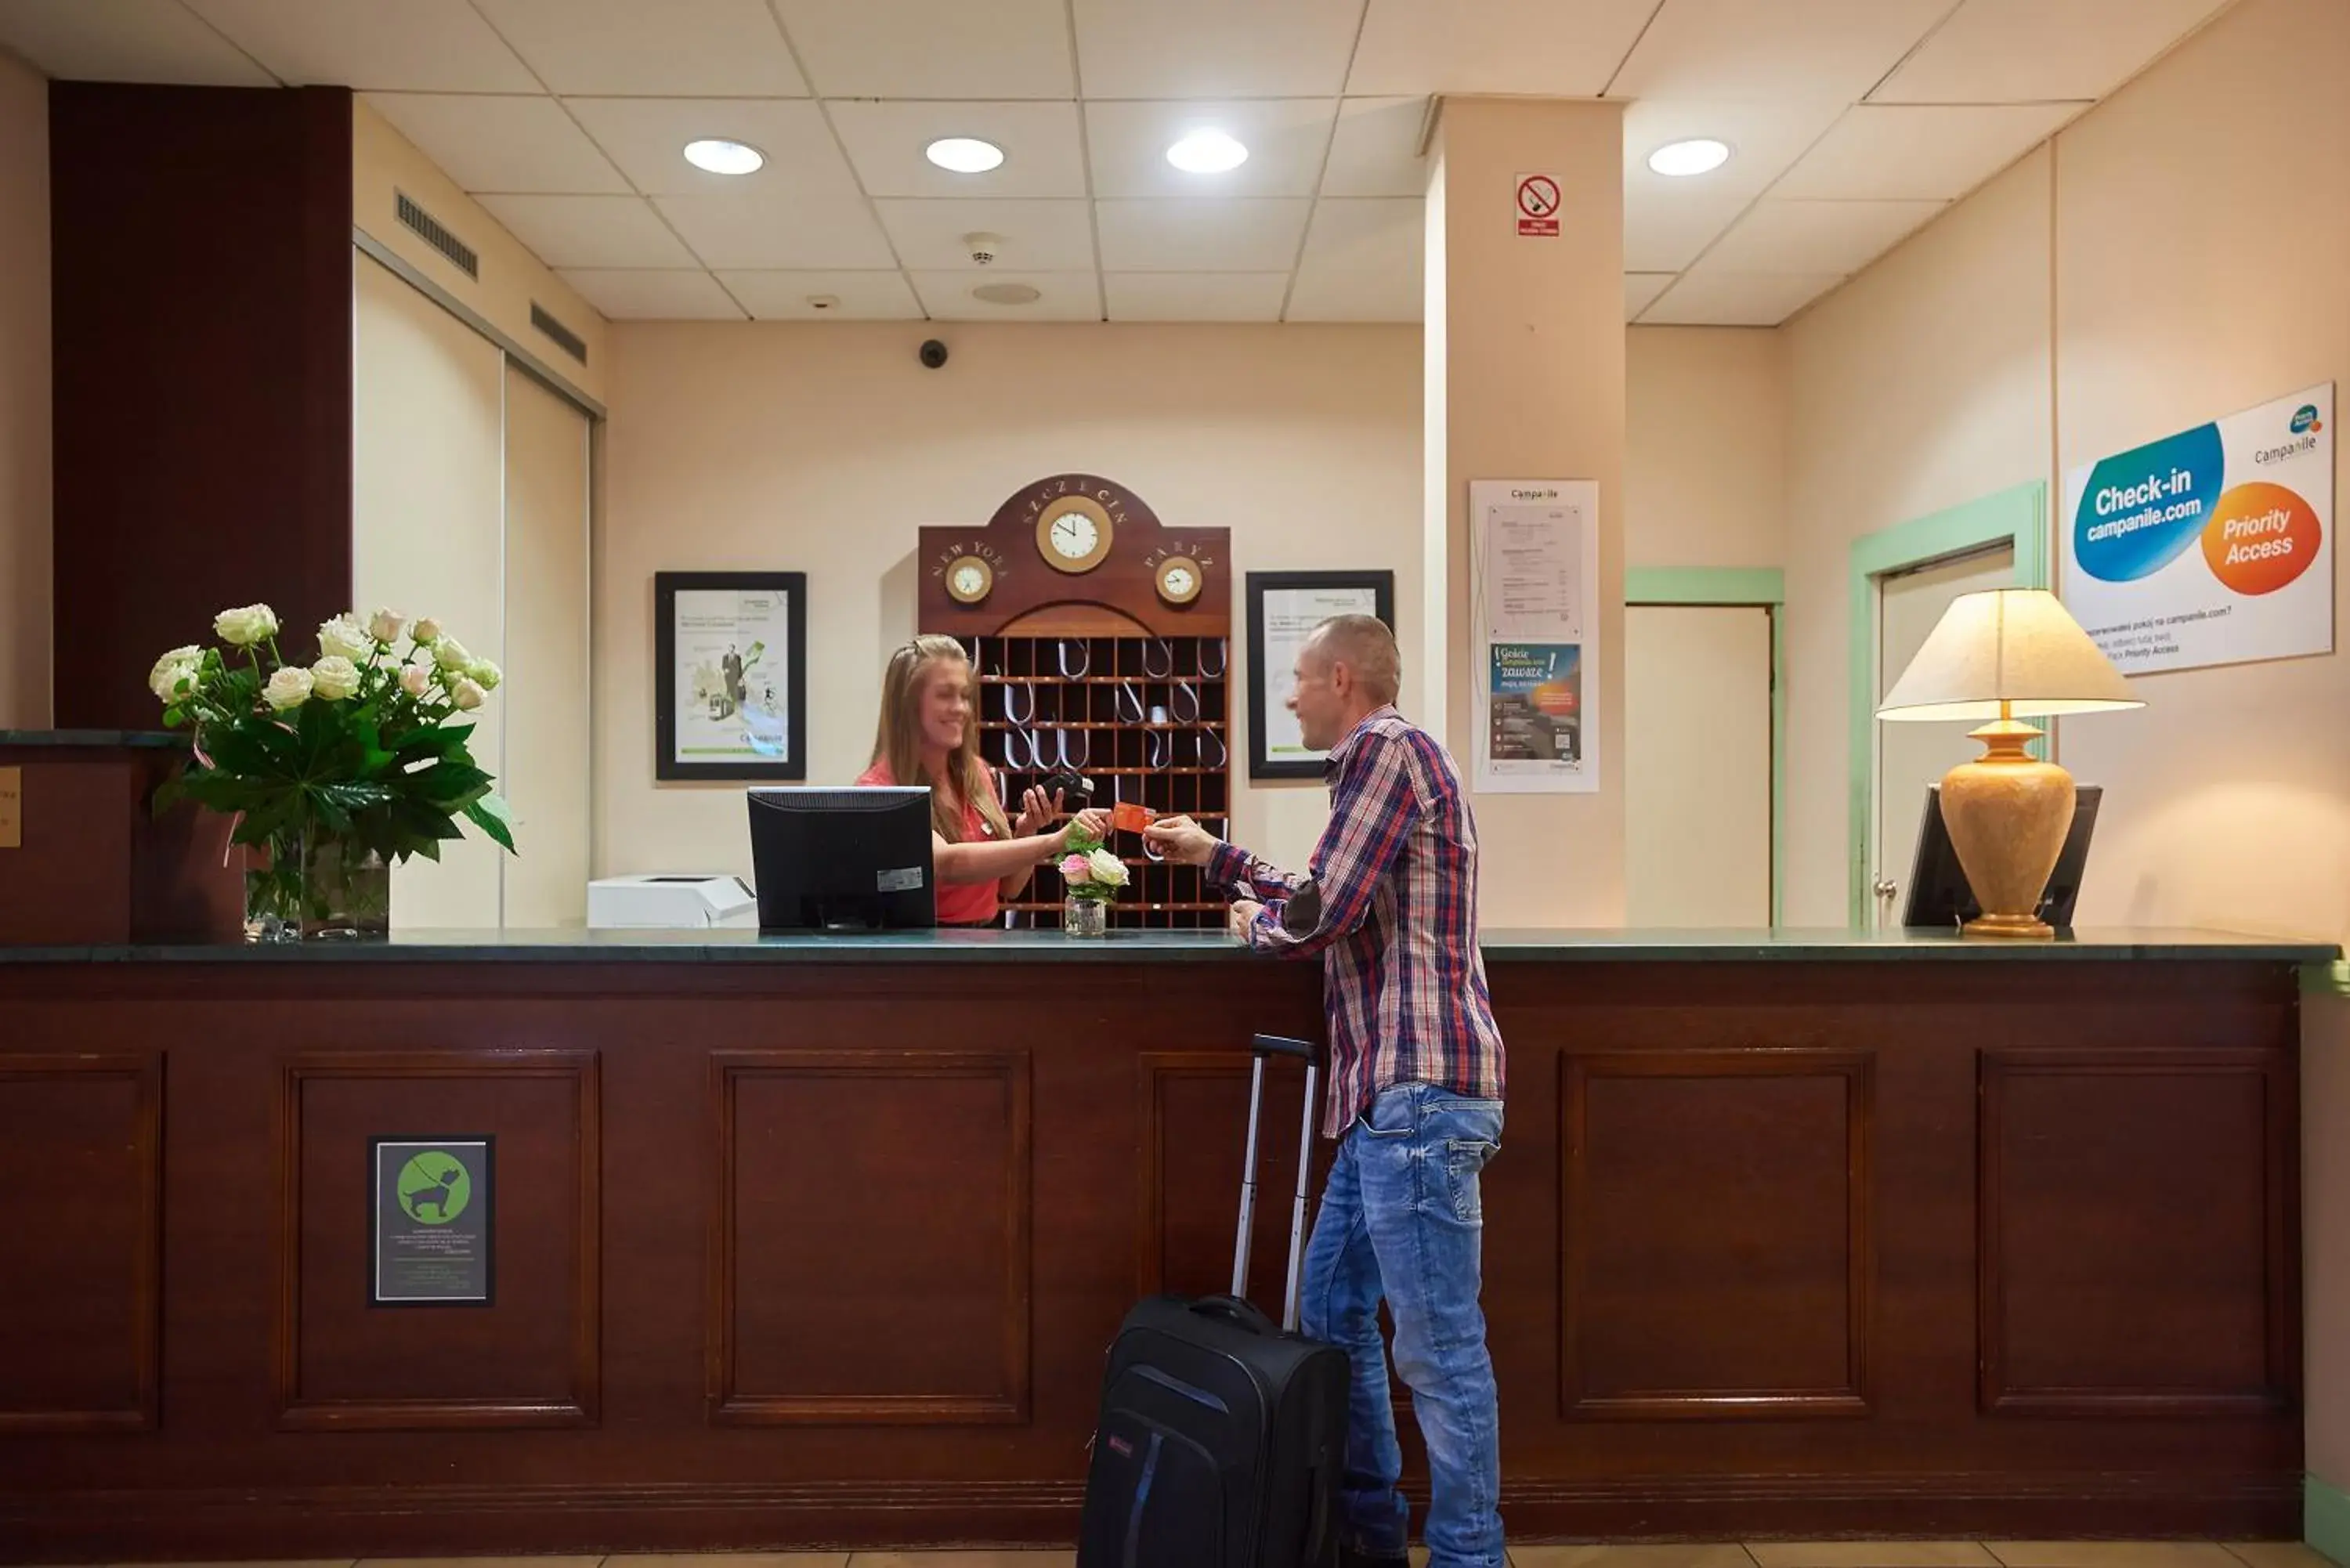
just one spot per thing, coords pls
(2177, 257)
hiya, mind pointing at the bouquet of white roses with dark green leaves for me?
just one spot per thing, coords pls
(361, 751)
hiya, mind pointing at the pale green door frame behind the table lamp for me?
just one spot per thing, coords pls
(2008, 518)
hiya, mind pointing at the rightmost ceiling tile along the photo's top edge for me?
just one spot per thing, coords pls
(2041, 51)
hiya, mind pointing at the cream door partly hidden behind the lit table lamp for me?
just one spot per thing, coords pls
(1916, 756)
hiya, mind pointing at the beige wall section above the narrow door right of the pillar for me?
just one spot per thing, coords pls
(1705, 448)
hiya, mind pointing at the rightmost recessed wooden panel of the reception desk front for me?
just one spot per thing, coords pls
(2135, 1233)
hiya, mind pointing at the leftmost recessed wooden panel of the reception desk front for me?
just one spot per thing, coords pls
(81, 1165)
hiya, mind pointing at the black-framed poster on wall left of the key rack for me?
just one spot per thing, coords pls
(732, 676)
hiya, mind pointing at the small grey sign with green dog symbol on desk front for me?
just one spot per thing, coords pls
(434, 1221)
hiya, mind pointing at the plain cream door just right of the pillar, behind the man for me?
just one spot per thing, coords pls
(1698, 765)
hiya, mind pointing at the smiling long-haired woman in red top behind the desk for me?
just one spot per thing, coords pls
(929, 735)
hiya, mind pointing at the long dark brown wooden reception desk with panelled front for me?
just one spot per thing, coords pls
(821, 1242)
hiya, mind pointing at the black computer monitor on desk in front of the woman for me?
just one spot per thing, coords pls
(842, 859)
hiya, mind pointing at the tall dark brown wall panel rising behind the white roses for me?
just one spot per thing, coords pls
(201, 246)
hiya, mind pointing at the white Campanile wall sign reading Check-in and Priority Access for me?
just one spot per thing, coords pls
(2213, 547)
